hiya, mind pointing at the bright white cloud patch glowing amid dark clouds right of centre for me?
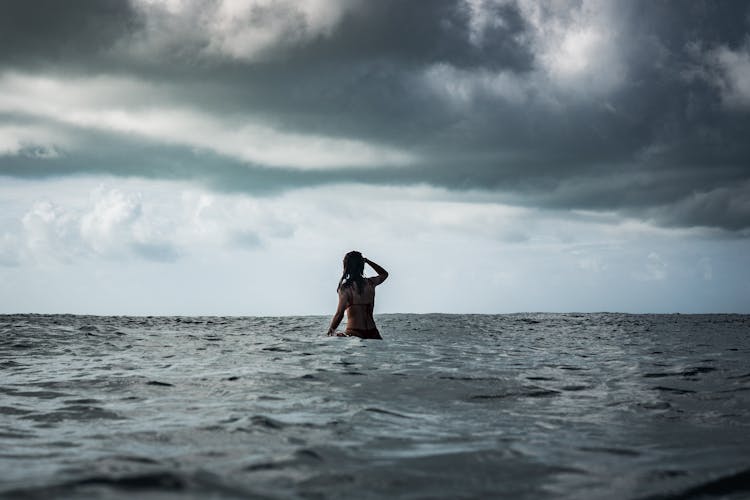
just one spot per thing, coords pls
(578, 52)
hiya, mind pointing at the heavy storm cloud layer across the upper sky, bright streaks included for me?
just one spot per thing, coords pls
(638, 108)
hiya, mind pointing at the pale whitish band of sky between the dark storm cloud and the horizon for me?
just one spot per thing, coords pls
(191, 251)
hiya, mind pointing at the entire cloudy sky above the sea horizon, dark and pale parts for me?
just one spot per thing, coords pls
(191, 157)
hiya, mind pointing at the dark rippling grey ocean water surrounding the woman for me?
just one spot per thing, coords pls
(448, 406)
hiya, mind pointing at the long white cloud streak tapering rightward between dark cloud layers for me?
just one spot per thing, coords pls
(126, 106)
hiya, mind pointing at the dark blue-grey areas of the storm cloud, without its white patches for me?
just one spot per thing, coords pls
(661, 143)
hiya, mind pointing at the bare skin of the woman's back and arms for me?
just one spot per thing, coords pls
(358, 305)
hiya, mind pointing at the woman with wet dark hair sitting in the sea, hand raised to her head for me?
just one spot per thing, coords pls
(357, 298)
